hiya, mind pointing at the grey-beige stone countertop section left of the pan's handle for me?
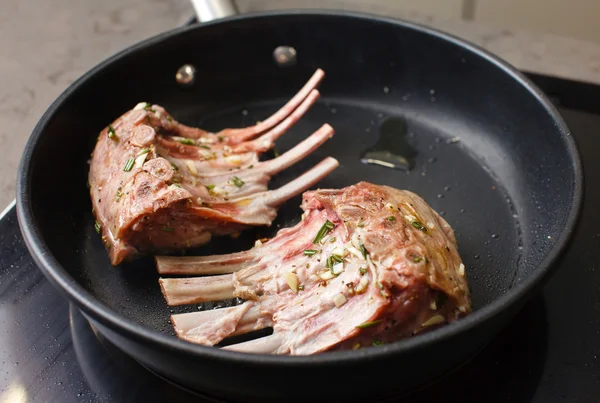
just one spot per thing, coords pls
(46, 45)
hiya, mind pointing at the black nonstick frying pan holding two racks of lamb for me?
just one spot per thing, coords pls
(490, 152)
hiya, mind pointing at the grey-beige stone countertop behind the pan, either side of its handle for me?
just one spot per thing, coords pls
(46, 45)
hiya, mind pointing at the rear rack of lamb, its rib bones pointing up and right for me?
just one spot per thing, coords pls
(158, 185)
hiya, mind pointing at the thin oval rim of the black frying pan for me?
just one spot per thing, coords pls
(135, 331)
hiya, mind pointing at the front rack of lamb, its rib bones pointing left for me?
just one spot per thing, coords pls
(367, 265)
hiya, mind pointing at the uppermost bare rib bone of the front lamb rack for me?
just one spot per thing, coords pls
(198, 265)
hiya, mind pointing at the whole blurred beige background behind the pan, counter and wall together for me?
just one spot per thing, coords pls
(46, 45)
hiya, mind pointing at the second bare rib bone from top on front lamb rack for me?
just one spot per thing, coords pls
(182, 291)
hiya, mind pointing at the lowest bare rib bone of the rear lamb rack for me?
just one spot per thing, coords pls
(301, 183)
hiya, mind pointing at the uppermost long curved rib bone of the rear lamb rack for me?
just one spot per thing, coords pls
(249, 132)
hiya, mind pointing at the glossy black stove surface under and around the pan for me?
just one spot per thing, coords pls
(549, 353)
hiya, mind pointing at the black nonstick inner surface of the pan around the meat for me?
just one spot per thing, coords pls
(491, 158)
